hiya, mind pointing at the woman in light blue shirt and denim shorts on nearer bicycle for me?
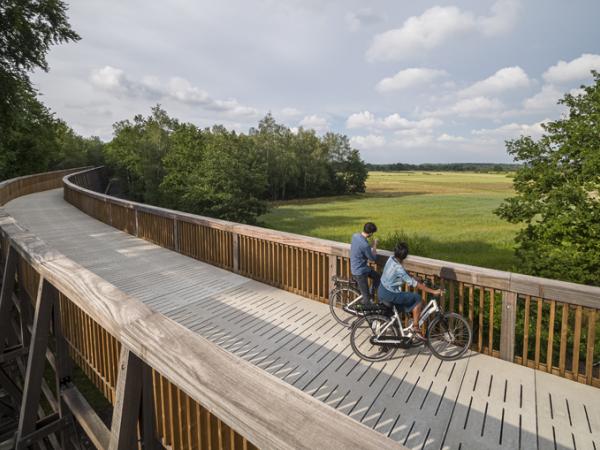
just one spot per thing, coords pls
(390, 290)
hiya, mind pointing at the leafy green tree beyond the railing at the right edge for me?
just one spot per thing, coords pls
(558, 193)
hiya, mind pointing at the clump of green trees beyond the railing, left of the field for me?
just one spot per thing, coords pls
(224, 174)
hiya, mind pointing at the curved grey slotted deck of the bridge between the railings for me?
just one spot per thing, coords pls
(478, 402)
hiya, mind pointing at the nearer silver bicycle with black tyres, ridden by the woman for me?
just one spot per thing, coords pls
(379, 333)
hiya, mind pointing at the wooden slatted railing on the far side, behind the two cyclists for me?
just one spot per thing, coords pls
(545, 324)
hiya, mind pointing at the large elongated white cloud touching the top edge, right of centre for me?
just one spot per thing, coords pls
(438, 25)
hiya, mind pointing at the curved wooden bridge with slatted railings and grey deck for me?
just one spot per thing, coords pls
(210, 334)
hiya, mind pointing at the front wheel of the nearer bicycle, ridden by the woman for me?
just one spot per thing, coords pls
(449, 336)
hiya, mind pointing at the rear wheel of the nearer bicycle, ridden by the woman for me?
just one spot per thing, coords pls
(363, 330)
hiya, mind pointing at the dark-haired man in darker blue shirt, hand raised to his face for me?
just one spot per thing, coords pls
(360, 254)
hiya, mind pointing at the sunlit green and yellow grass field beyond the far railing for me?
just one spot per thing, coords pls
(444, 215)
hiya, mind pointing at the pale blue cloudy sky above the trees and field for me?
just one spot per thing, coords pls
(426, 81)
